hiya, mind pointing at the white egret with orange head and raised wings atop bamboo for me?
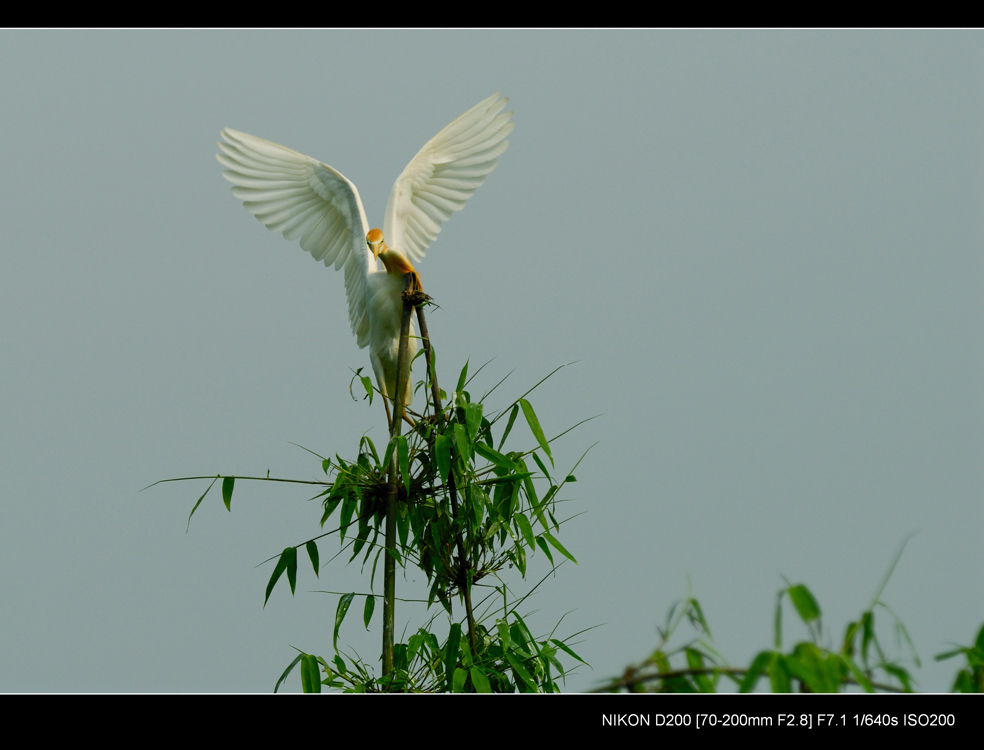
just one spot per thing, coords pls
(305, 199)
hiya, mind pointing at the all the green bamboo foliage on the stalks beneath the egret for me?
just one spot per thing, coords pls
(468, 509)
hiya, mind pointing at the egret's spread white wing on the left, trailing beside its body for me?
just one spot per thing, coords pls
(303, 198)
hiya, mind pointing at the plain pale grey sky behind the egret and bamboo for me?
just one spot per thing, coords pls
(764, 248)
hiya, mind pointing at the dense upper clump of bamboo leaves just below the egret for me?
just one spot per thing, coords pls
(500, 505)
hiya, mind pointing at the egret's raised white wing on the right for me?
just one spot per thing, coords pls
(444, 174)
